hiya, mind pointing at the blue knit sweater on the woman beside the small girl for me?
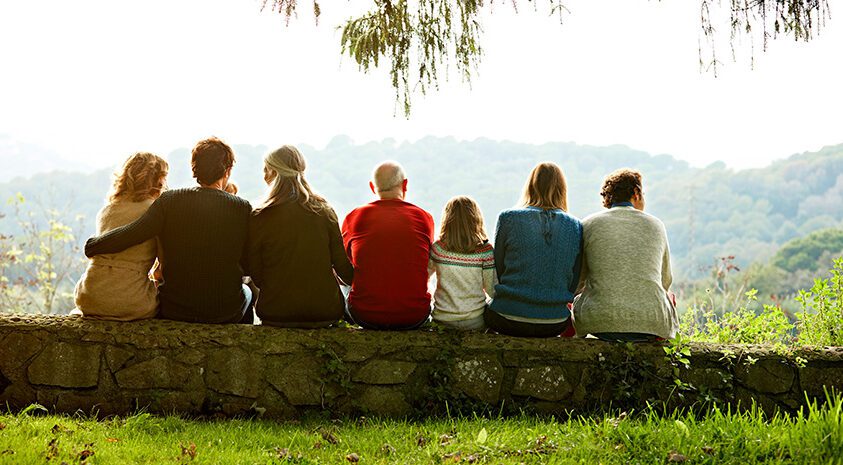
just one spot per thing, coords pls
(537, 256)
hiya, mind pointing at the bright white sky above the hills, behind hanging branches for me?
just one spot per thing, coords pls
(98, 80)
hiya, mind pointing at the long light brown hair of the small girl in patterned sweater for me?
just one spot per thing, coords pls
(462, 229)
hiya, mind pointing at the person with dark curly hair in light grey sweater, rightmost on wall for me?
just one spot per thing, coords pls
(625, 278)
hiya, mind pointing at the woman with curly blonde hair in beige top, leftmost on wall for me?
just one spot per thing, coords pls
(117, 286)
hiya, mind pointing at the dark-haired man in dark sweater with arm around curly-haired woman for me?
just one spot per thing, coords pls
(203, 233)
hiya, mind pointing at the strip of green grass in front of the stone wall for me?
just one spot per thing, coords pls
(717, 437)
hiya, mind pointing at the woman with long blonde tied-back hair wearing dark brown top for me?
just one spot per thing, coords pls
(296, 253)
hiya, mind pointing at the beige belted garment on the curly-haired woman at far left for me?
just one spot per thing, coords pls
(116, 286)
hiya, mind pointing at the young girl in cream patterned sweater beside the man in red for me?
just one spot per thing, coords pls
(464, 263)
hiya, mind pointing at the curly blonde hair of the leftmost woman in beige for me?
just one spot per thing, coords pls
(141, 178)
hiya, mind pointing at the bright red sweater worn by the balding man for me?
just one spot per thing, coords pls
(388, 242)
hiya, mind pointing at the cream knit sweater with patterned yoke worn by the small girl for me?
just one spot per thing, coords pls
(462, 282)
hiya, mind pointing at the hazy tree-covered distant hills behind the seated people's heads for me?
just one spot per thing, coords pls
(708, 212)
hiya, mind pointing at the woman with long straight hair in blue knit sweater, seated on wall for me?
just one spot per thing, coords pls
(537, 256)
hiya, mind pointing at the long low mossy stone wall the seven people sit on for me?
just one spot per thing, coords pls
(69, 364)
